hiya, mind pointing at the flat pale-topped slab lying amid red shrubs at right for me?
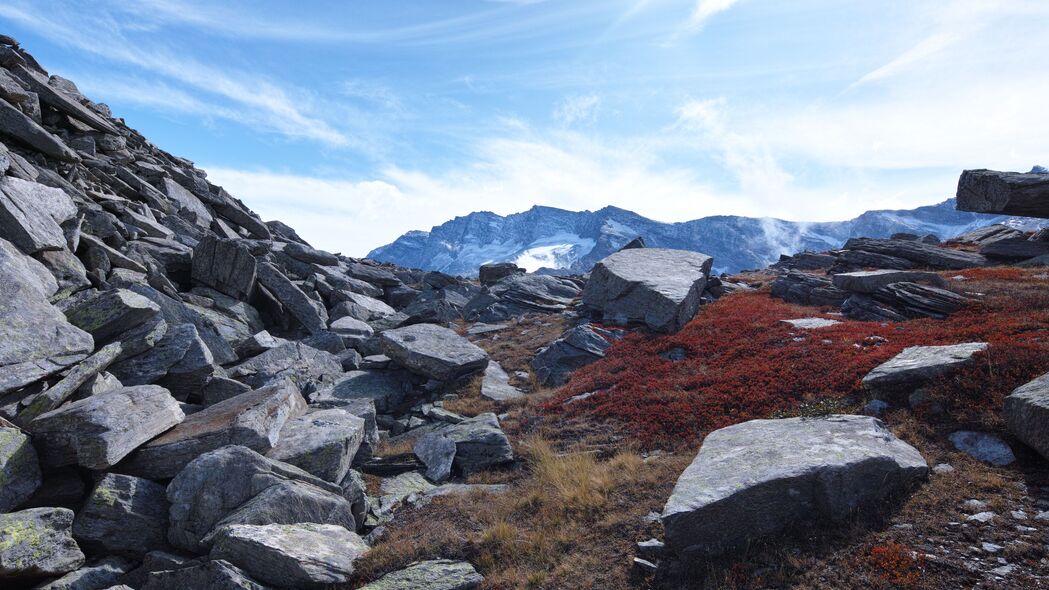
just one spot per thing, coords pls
(917, 366)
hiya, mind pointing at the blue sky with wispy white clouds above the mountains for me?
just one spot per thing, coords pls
(356, 121)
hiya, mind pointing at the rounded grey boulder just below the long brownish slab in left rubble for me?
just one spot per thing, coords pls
(237, 486)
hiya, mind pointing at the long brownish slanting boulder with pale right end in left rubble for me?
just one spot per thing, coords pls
(253, 420)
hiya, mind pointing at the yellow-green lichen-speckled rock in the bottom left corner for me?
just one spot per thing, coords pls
(36, 543)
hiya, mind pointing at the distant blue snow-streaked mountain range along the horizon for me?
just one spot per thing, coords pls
(560, 241)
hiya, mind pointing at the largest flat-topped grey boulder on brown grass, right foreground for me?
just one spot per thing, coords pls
(762, 478)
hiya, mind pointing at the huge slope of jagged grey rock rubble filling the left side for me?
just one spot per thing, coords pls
(188, 394)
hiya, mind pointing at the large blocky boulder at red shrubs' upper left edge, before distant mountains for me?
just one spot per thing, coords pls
(656, 287)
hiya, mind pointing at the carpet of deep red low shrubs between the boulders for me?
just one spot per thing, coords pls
(743, 364)
